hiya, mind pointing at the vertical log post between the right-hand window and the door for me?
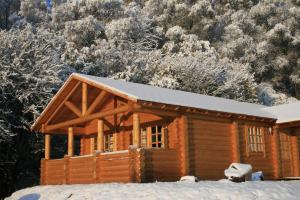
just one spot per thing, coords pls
(276, 153)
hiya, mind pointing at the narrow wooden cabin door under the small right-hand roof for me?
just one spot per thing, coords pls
(286, 154)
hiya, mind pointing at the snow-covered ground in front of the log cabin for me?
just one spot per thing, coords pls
(177, 190)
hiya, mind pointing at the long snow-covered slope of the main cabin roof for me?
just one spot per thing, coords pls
(179, 98)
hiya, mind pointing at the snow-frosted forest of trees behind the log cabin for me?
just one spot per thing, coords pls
(247, 50)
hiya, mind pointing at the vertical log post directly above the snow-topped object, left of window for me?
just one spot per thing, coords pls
(235, 142)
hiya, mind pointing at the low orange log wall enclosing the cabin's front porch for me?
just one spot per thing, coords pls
(133, 165)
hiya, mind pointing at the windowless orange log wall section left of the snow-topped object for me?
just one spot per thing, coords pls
(210, 148)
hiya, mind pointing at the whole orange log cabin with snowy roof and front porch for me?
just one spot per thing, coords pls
(131, 132)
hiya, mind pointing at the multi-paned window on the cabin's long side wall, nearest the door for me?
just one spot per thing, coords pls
(255, 141)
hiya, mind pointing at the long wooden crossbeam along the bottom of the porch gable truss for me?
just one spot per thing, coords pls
(87, 118)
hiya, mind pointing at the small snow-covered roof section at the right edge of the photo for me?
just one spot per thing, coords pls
(286, 112)
